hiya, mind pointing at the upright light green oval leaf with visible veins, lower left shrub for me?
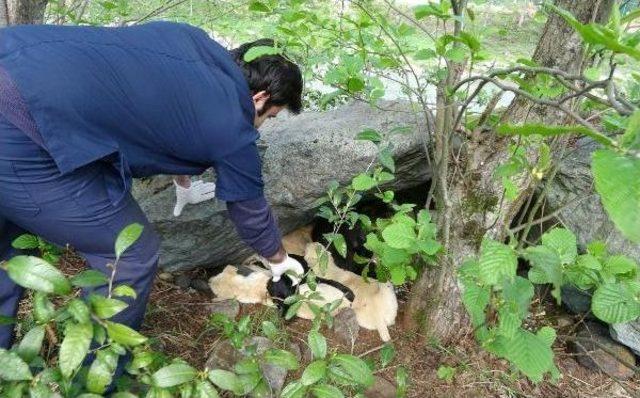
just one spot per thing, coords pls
(74, 347)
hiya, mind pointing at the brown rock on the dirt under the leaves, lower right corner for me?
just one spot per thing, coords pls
(593, 357)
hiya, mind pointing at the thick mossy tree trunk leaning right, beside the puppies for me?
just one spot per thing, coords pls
(477, 209)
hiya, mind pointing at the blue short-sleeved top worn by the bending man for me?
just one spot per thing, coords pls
(159, 98)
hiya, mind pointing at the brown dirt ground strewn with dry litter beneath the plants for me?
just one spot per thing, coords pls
(178, 320)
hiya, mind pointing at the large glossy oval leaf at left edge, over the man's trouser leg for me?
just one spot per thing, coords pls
(37, 274)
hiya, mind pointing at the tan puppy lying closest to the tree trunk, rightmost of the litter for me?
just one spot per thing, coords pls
(375, 303)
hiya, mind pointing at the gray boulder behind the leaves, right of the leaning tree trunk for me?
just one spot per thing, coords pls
(588, 220)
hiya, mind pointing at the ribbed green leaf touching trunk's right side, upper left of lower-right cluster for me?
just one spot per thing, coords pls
(497, 262)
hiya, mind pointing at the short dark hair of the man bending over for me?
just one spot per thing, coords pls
(275, 74)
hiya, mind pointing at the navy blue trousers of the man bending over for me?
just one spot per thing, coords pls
(75, 209)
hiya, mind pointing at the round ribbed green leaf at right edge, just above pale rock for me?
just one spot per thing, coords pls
(615, 303)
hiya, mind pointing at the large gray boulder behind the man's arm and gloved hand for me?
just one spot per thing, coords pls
(301, 155)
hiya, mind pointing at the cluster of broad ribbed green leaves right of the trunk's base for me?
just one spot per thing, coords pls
(490, 286)
